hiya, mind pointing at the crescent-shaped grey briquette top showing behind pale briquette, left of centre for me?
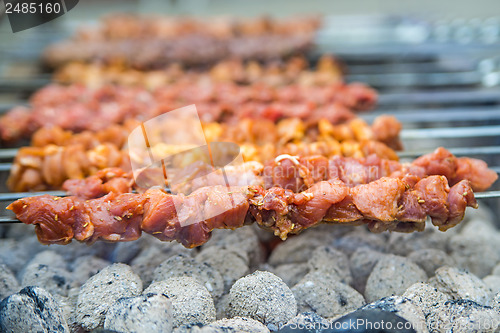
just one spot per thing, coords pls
(182, 265)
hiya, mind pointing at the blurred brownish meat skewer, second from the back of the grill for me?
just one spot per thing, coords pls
(193, 50)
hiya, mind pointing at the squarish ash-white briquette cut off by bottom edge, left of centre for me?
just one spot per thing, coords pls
(146, 313)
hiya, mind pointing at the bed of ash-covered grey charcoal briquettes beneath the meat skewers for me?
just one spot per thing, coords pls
(327, 278)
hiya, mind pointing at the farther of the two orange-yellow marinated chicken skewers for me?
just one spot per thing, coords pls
(384, 129)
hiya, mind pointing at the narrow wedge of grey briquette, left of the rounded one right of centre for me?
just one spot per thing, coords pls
(361, 263)
